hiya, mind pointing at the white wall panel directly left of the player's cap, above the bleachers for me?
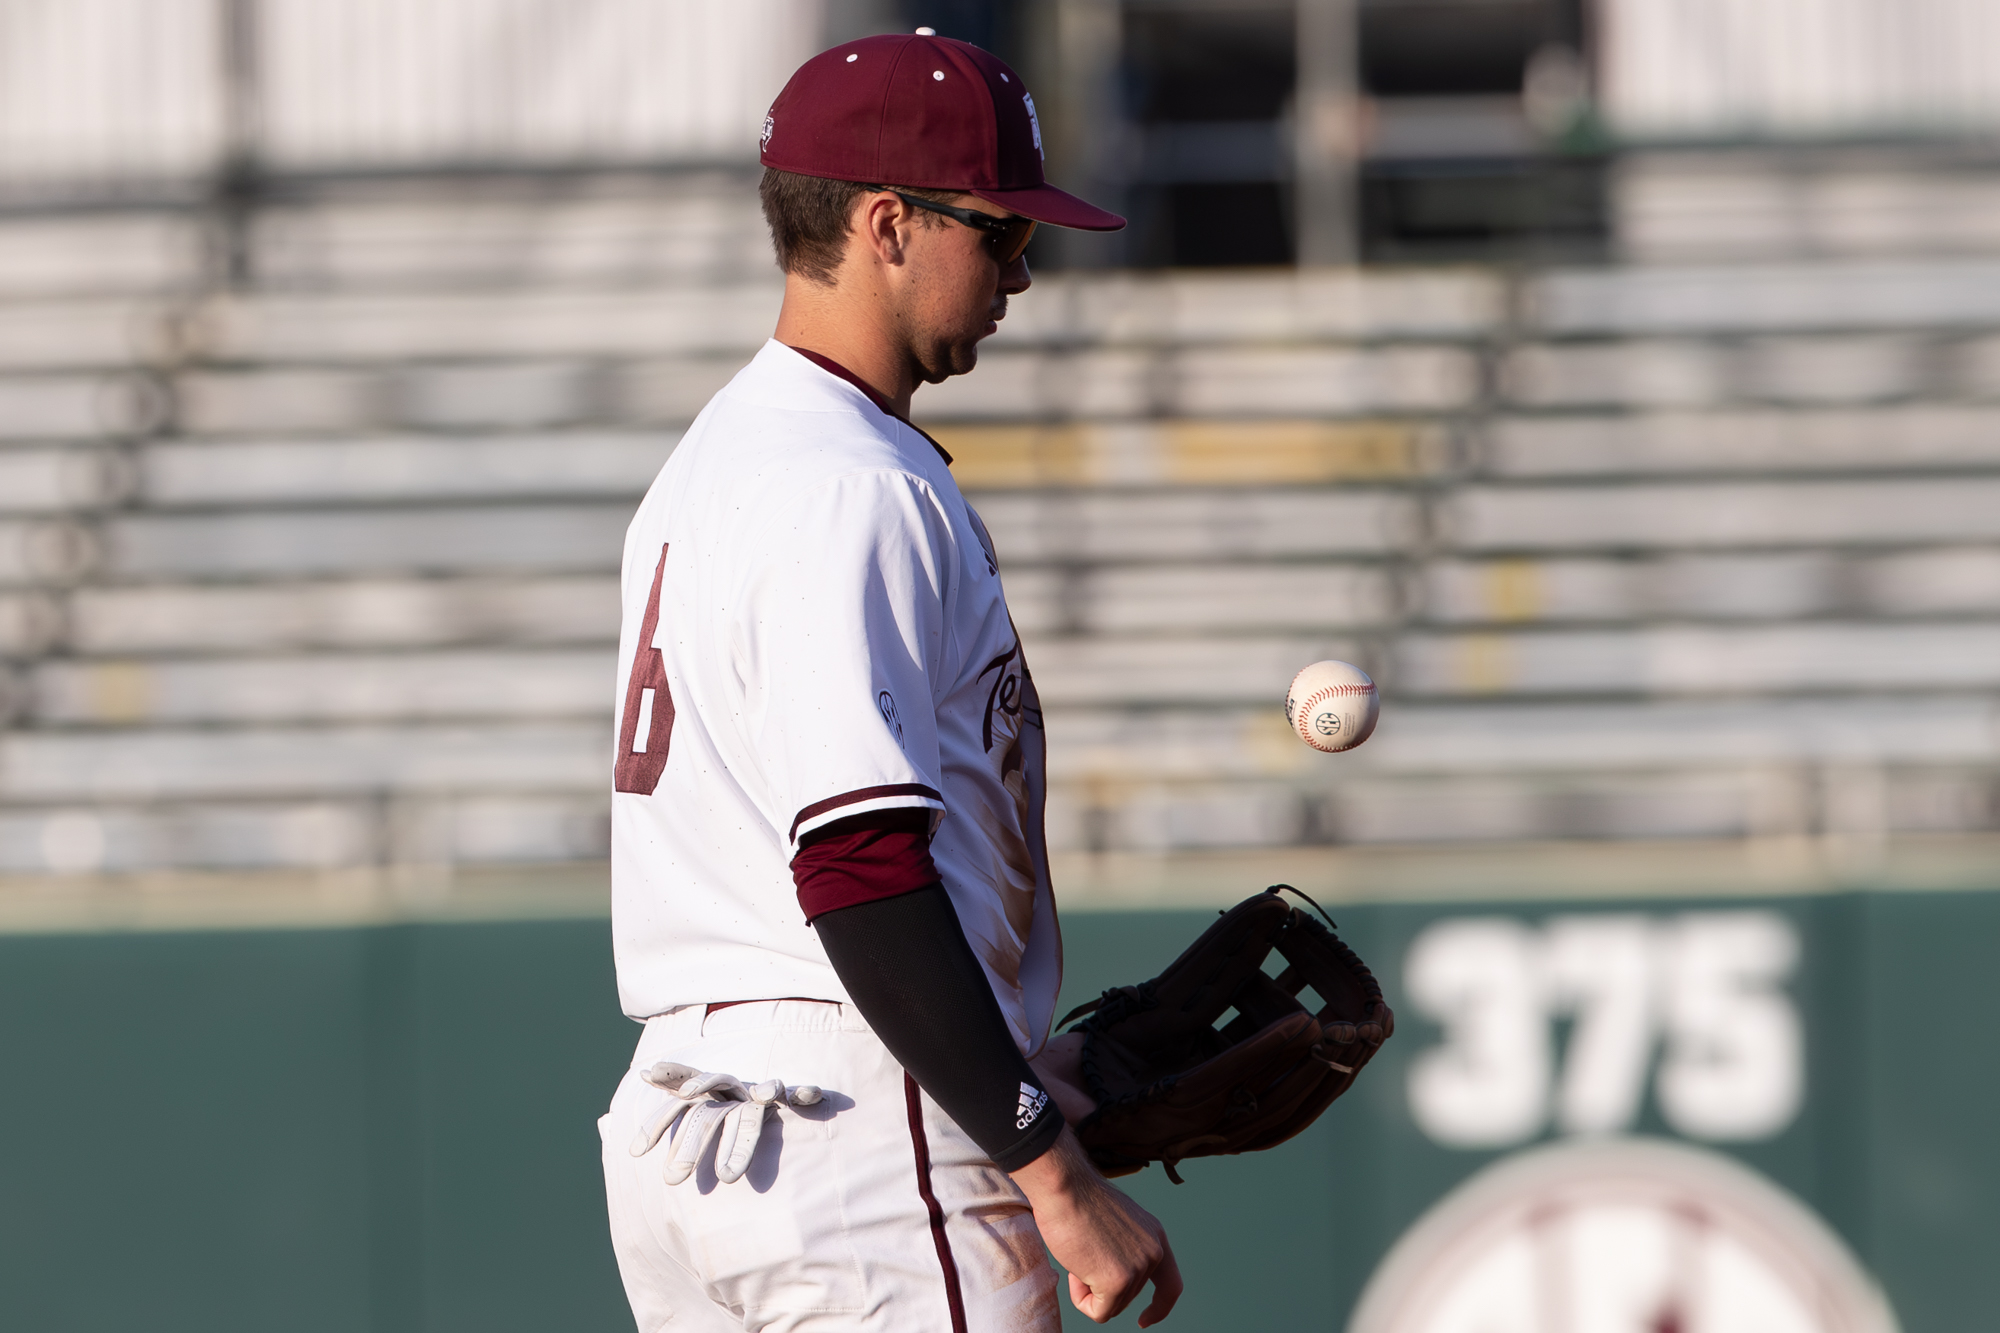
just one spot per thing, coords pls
(397, 83)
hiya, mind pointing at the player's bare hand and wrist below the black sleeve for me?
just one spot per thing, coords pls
(1111, 1246)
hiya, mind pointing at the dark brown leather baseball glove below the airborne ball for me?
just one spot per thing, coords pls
(1171, 1084)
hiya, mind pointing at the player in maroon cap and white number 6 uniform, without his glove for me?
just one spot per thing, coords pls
(831, 898)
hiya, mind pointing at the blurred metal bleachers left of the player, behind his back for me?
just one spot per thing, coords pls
(325, 573)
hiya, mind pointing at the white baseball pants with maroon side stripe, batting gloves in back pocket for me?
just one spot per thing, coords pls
(869, 1212)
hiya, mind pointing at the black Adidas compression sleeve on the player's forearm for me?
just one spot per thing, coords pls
(913, 976)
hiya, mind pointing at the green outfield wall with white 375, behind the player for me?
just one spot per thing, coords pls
(393, 1128)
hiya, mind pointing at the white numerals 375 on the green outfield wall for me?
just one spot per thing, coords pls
(1569, 1024)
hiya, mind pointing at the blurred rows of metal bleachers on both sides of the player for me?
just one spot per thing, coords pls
(321, 571)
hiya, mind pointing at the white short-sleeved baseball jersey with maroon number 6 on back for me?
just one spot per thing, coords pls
(813, 629)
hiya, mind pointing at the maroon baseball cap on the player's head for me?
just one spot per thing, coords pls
(923, 113)
